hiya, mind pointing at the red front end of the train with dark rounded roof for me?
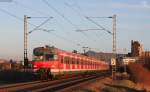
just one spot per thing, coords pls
(45, 61)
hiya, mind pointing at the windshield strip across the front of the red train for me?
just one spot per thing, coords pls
(46, 57)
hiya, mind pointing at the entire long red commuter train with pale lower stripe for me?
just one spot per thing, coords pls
(54, 61)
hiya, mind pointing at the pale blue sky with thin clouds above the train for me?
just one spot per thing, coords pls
(133, 23)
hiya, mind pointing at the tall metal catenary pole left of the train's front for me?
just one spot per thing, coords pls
(25, 42)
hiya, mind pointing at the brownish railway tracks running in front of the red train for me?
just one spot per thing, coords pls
(47, 86)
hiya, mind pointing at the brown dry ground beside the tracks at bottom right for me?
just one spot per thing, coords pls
(107, 85)
